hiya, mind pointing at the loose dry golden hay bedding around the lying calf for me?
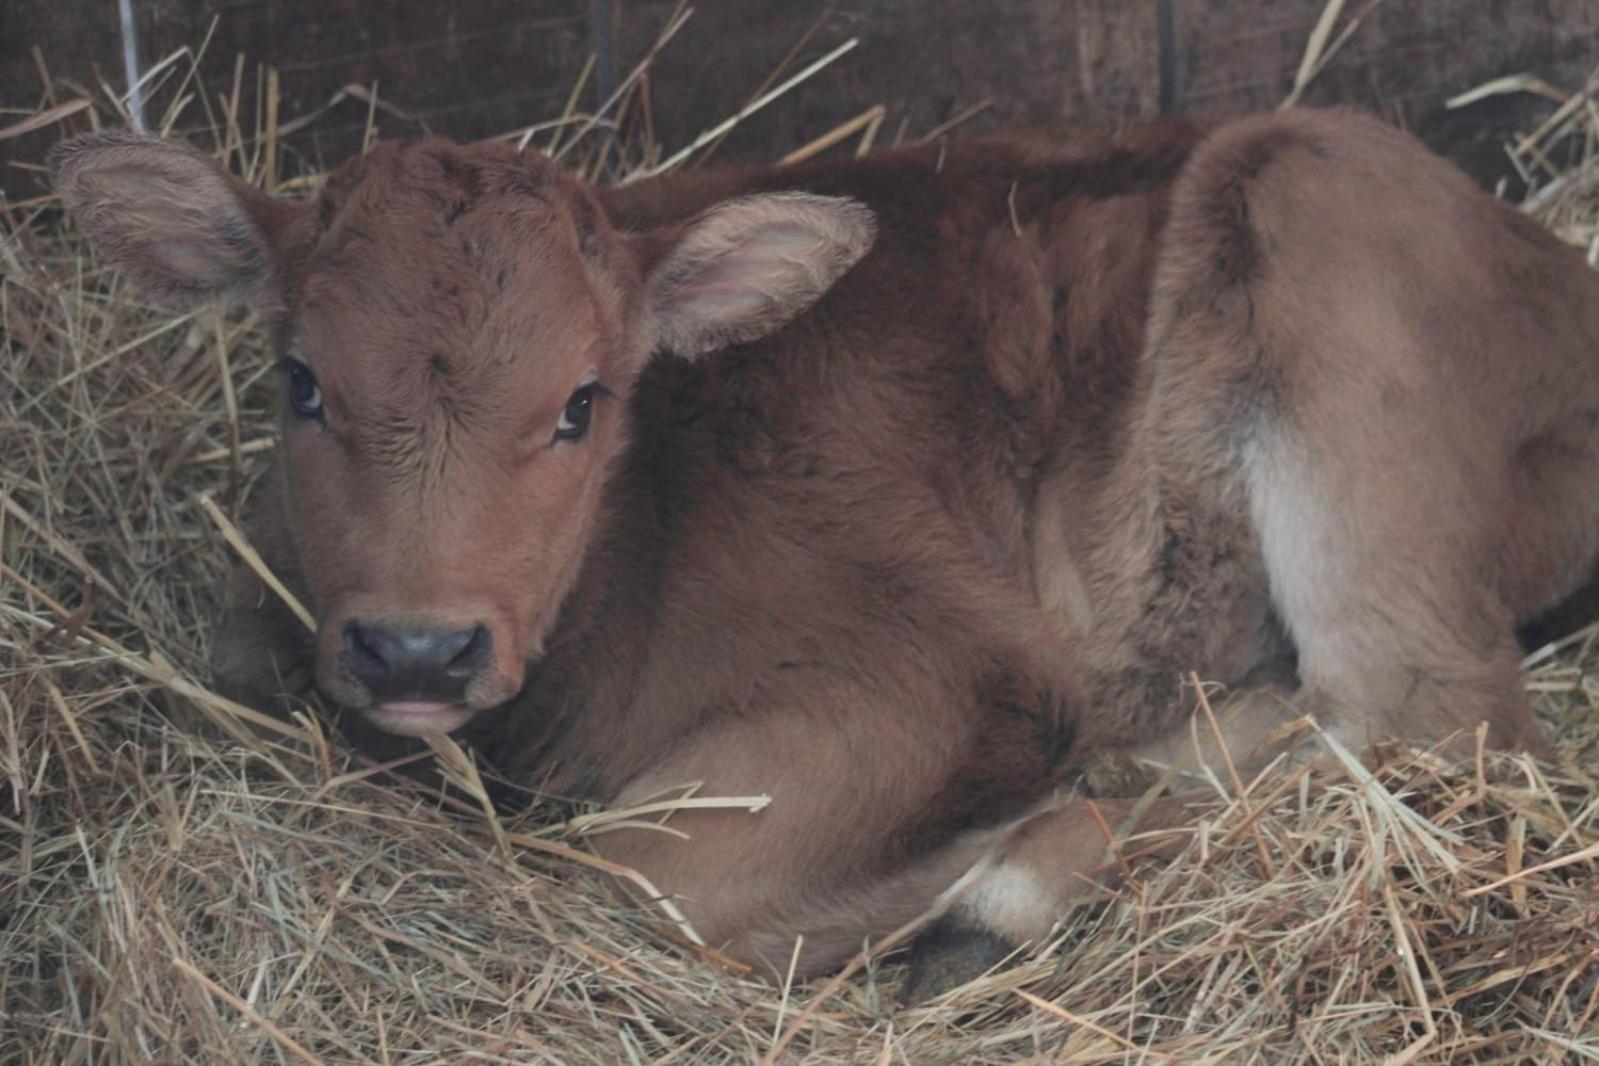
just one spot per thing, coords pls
(177, 896)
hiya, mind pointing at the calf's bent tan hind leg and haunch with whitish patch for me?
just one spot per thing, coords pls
(1318, 312)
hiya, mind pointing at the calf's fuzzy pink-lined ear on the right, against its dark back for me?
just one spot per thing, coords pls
(749, 266)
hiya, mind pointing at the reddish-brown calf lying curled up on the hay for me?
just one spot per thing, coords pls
(893, 488)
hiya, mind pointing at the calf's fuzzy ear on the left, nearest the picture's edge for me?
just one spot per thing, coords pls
(172, 217)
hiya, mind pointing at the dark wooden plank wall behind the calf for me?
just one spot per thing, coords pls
(476, 68)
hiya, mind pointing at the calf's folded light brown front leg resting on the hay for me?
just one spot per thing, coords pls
(832, 862)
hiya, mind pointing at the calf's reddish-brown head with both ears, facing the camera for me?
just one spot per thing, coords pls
(460, 330)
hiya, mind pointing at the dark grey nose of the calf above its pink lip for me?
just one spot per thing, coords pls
(404, 664)
